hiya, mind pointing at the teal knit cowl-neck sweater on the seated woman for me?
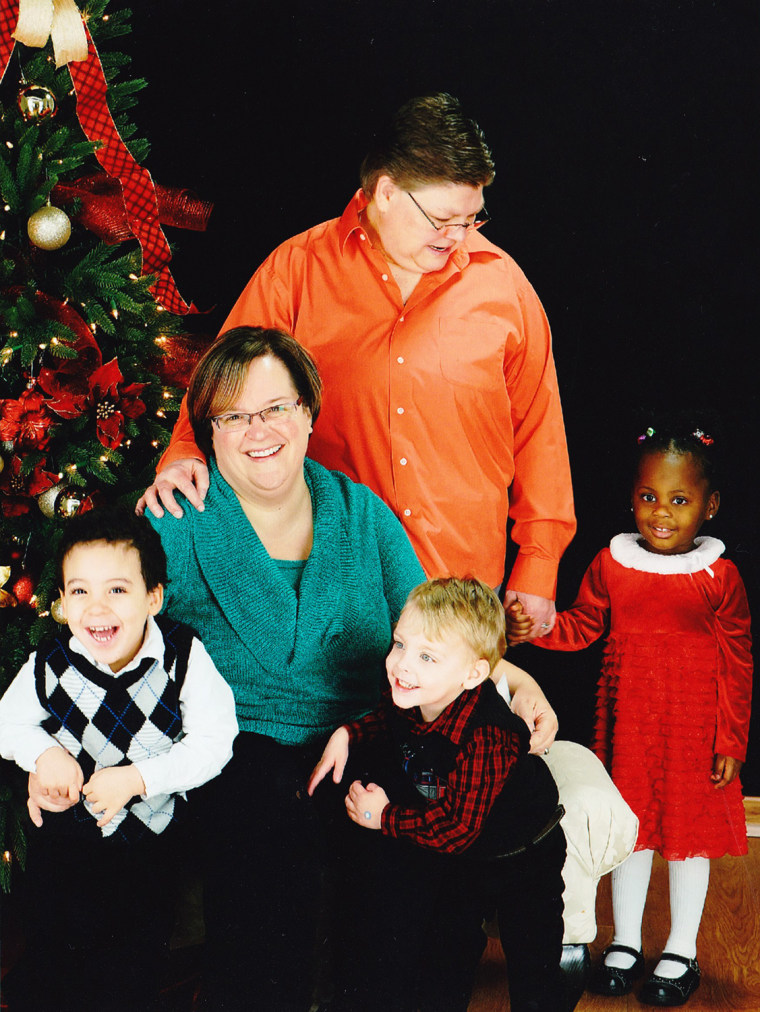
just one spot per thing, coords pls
(300, 664)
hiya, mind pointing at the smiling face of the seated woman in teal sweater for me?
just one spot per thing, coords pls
(265, 462)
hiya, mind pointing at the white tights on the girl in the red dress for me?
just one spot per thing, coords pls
(689, 888)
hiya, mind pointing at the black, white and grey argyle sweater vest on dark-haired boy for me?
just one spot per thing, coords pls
(115, 720)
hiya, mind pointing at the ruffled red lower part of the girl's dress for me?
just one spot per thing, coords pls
(656, 737)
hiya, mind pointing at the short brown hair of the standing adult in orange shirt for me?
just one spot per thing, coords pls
(431, 140)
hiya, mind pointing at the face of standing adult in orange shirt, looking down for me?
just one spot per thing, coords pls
(407, 239)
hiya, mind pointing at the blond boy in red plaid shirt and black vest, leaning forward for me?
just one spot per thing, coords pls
(464, 818)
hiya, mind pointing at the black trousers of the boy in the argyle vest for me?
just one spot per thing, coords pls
(99, 917)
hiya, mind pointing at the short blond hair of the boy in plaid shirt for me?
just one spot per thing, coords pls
(466, 607)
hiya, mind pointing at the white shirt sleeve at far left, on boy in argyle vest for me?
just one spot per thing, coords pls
(23, 739)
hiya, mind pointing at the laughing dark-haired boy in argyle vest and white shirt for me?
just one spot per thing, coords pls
(118, 717)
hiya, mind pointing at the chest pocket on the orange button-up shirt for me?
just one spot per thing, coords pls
(472, 354)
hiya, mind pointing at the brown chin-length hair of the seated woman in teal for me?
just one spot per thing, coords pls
(222, 373)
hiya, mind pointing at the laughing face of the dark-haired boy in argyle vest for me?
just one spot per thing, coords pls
(106, 602)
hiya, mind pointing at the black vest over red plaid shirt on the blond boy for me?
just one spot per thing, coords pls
(526, 803)
